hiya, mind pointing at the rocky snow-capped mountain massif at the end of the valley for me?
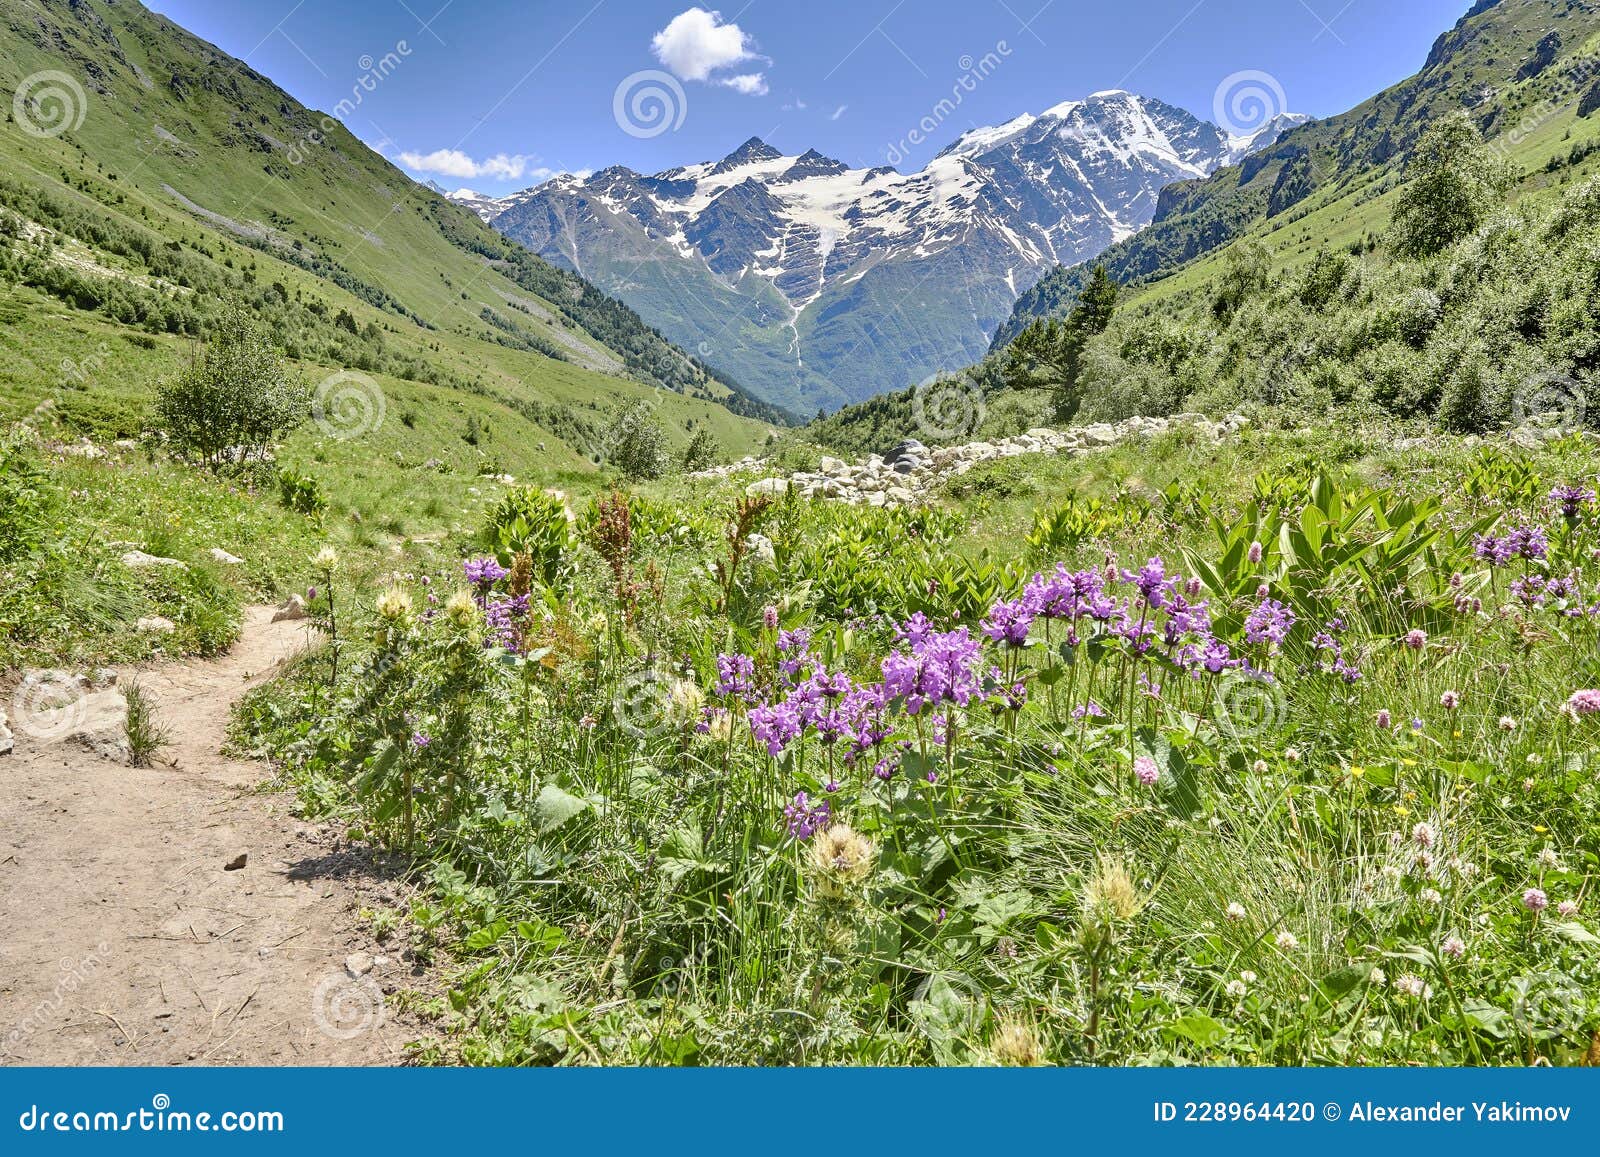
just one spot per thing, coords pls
(818, 284)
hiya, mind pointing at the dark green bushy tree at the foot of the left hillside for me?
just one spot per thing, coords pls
(234, 399)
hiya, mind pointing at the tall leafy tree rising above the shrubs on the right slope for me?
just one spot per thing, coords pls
(1455, 183)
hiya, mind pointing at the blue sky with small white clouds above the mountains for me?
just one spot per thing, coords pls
(500, 94)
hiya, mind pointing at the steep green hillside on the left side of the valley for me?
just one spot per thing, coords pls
(146, 177)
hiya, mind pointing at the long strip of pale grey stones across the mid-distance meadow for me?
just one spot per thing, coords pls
(910, 470)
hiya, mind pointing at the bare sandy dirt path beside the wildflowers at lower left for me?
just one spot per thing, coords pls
(126, 942)
